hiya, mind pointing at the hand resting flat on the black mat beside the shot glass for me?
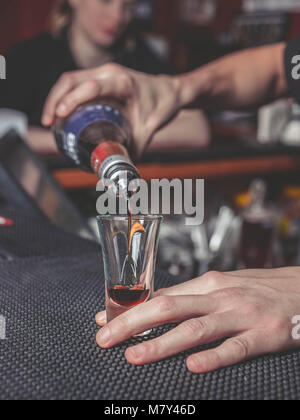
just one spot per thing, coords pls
(253, 310)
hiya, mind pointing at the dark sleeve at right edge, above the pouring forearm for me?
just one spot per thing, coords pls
(292, 67)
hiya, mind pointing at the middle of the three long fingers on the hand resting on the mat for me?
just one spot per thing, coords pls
(187, 335)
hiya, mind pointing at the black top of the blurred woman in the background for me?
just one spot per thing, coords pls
(34, 66)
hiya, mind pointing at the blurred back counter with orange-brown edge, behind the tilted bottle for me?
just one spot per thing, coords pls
(233, 152)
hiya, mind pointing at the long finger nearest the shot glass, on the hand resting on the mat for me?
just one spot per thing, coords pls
(156, 312)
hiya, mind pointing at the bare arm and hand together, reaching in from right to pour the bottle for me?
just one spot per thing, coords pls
(239, 81)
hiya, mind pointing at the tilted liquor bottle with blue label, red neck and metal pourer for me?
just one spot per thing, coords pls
(97, 138)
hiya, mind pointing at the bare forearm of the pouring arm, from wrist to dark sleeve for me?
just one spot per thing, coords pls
(242, 80)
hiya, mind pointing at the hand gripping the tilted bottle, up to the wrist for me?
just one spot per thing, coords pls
(150, 101)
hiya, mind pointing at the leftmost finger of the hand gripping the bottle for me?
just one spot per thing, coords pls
(65, 84)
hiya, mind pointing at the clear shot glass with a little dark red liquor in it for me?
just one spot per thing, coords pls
(129, 248)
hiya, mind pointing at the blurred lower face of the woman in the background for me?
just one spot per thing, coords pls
(104, 21)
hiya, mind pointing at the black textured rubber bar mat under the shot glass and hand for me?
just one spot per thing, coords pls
(49, 303)
